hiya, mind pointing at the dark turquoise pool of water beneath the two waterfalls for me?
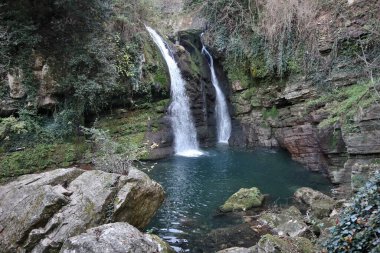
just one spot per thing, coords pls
(196, 187)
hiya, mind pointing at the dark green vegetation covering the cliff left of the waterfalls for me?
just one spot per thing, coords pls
(95, 54)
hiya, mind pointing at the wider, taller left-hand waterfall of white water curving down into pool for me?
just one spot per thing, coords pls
(185, 135)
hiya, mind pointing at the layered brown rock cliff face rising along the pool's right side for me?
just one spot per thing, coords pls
(294, 114)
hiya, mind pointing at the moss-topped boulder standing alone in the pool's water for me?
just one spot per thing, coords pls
(242, 200)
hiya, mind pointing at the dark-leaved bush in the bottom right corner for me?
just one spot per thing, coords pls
(358, 229)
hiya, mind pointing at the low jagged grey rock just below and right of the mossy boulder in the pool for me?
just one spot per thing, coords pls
(288, 222)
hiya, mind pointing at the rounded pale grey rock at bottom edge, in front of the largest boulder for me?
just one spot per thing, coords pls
(116, 238)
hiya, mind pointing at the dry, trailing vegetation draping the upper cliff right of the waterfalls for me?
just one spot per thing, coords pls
(274, 39)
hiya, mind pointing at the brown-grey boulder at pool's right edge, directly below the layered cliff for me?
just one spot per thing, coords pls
(320, 204)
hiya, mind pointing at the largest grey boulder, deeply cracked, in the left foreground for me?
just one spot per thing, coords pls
(39, 212)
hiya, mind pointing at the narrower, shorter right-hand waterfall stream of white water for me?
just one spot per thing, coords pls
(223, 120)
